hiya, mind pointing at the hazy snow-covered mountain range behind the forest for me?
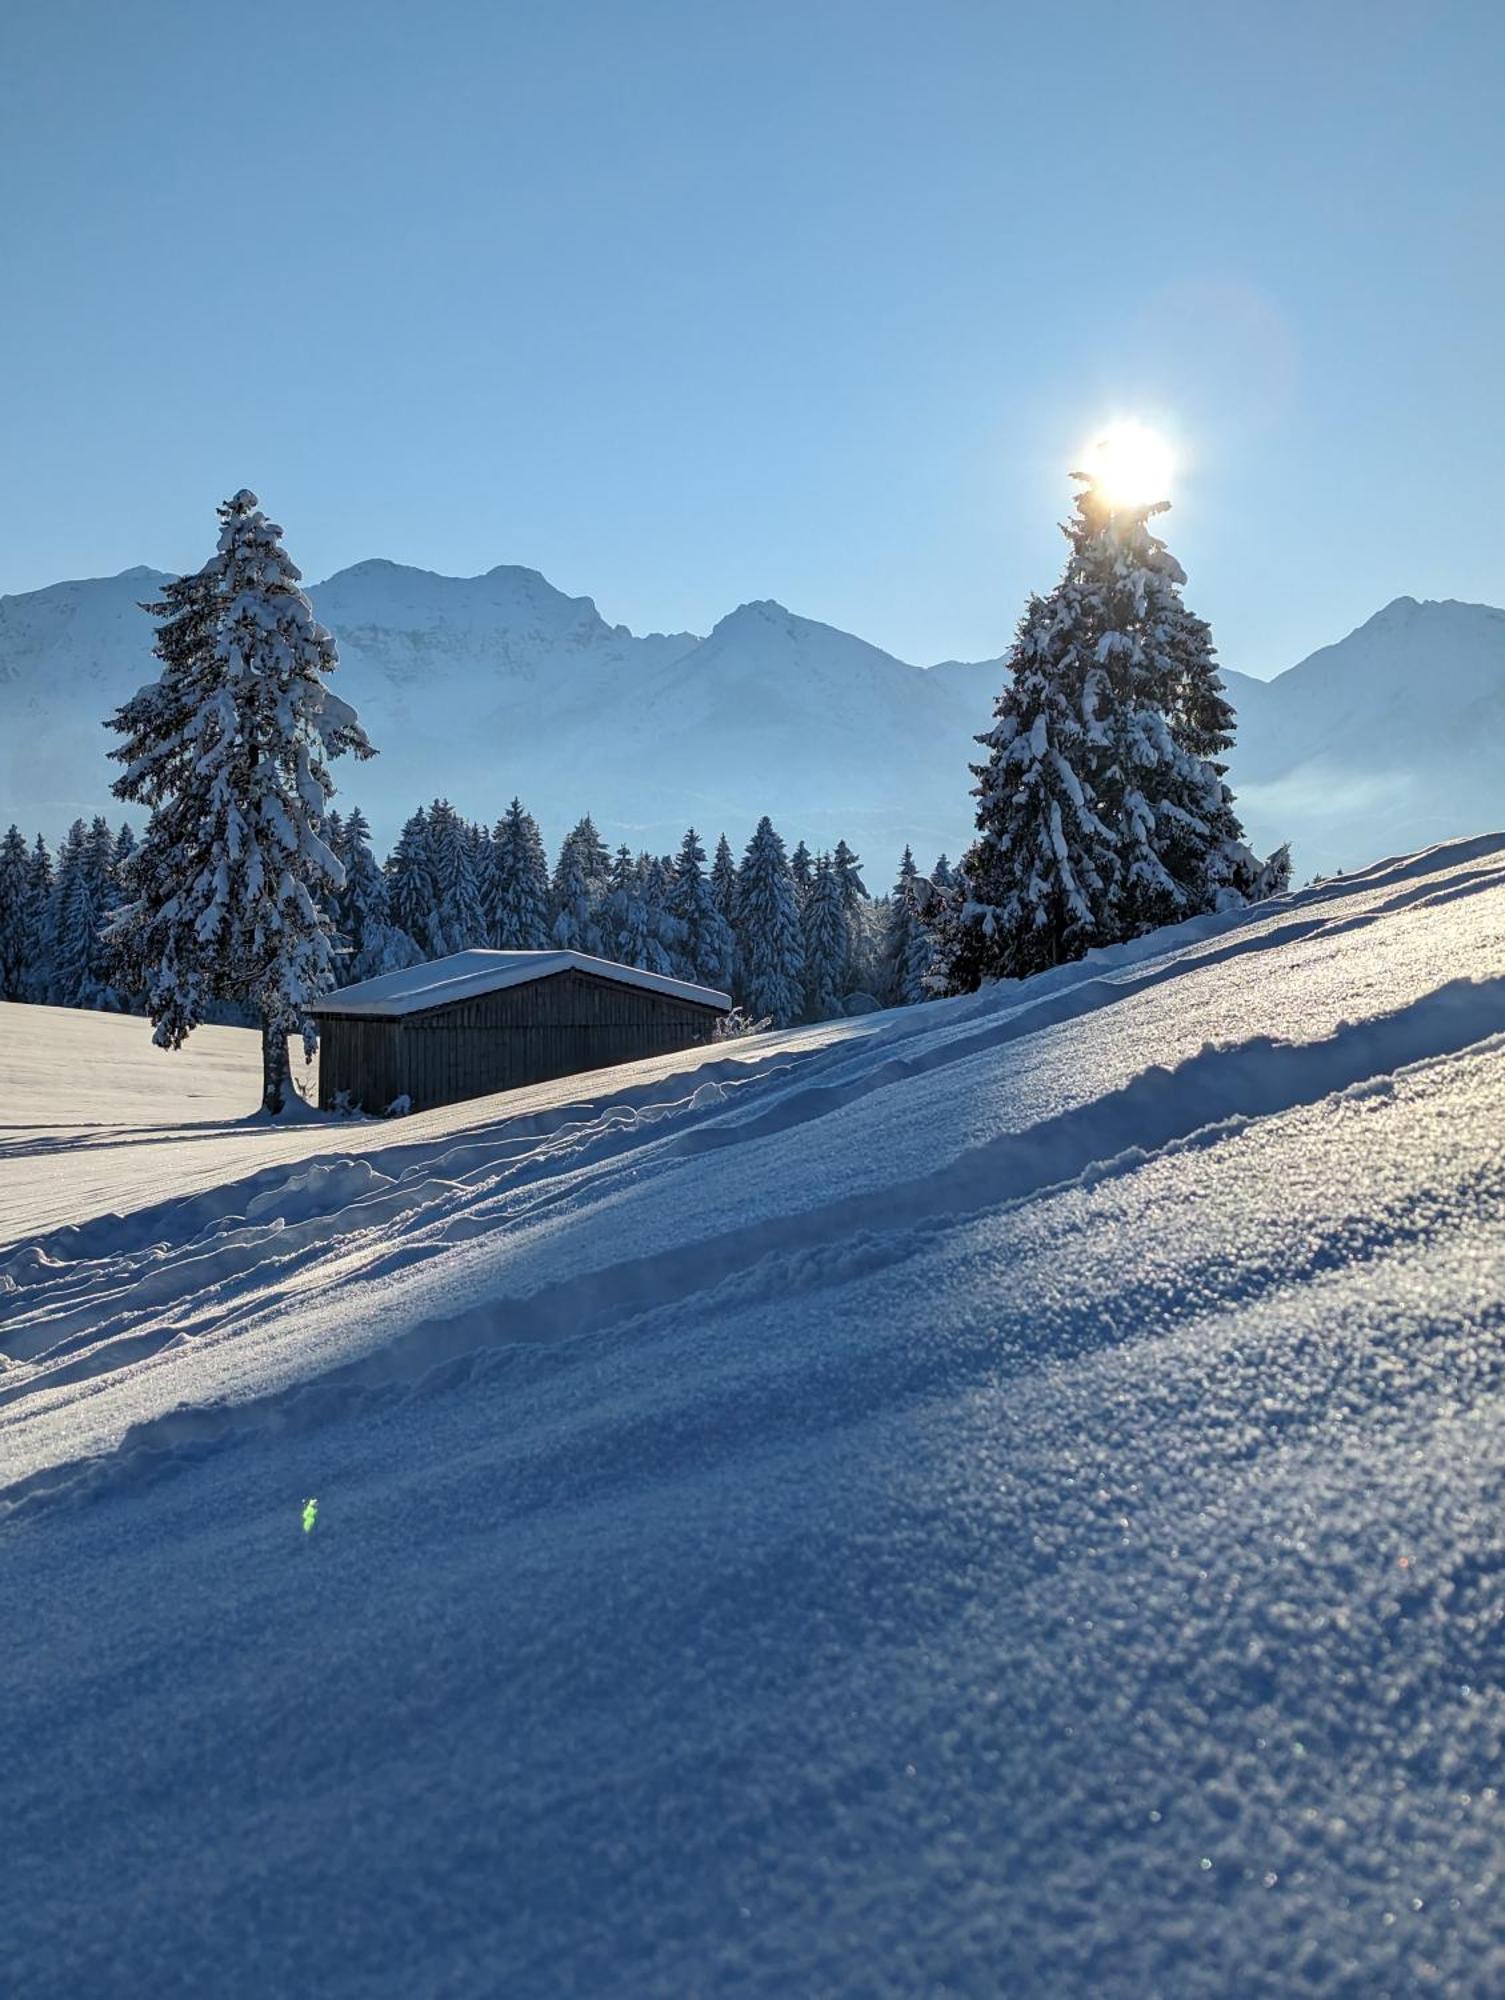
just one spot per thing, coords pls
(483, 687)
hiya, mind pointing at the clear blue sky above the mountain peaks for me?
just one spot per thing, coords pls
(806, 299)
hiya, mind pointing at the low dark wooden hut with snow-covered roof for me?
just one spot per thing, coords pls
(475, 1023)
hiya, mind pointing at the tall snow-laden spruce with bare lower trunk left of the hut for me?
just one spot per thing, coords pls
(231, 871)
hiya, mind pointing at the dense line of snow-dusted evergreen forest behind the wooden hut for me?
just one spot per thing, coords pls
(792, 935)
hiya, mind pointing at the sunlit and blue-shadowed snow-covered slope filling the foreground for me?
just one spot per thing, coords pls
(990, 1501)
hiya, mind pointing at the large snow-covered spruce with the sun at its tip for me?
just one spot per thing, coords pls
(1100, 815)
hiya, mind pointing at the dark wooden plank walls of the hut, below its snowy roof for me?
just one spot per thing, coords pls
(501, 1041)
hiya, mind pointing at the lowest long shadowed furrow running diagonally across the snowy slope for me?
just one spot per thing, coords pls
(1208, 1099)
